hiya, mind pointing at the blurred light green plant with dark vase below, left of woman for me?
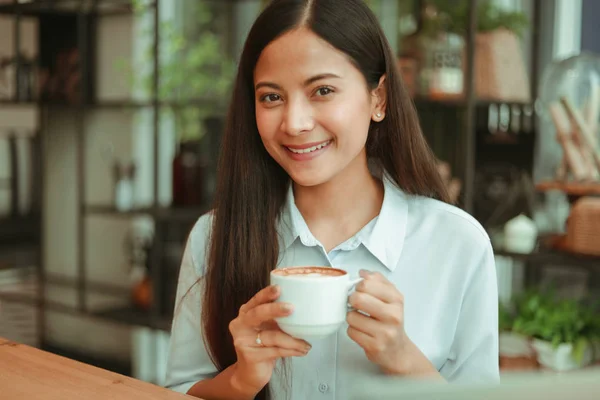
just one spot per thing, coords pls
(195, 80)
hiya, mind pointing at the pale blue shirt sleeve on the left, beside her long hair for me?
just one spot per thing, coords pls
(188, 361)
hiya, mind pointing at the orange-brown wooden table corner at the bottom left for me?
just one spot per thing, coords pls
(29, 373)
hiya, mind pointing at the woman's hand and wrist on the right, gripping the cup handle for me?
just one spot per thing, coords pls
(381, 334)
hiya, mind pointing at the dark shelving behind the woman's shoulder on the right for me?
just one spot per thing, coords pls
(457, 128)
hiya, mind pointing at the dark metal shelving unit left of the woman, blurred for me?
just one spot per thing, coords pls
(170, 224)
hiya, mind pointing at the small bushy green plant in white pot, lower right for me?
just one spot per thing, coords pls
(563, 331)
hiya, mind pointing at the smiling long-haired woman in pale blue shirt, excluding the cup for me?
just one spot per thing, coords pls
(323, 163)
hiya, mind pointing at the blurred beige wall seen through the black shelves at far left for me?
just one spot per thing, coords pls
(104, 237)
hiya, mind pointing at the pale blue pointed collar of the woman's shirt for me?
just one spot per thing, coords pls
(386, 239)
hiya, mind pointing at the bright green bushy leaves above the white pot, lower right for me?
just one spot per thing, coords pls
(540, 315)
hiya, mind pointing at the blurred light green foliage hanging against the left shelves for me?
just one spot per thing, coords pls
(195, 73)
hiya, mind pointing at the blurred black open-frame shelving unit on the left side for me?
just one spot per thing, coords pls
(28, 229)
